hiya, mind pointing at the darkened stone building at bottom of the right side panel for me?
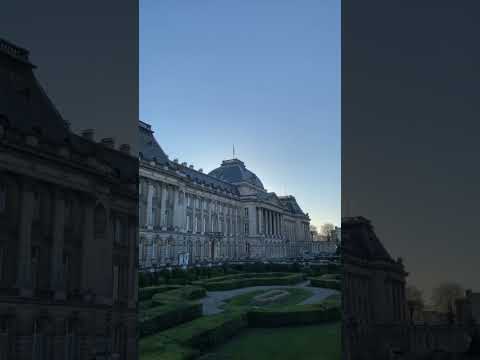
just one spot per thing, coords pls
(377, 322)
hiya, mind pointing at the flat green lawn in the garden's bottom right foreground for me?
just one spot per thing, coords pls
(319, 342)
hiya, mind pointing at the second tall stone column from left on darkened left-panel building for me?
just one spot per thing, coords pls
(57, 280)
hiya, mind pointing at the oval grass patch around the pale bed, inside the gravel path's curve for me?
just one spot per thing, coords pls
(245, 301)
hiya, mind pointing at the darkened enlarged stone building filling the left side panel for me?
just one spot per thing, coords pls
(69, 227)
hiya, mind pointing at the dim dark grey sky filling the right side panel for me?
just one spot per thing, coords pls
(410, 130)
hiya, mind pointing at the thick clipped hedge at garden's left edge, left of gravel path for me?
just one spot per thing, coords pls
(169, 306)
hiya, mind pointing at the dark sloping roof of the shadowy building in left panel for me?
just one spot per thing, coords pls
(26, 107)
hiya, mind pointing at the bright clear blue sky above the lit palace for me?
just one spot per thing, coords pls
(263, 75)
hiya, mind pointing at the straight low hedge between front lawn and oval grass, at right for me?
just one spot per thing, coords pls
(293, 315)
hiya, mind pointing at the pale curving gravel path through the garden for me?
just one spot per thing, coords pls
(215, 299)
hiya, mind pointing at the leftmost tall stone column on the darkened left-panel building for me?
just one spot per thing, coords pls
(24, 270)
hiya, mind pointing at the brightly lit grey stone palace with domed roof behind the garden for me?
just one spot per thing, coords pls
(190, 217)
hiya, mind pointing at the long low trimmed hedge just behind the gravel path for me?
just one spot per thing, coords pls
(230, 282)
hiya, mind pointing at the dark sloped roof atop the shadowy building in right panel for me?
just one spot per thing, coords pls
(359, 240)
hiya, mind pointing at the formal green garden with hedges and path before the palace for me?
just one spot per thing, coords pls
(243, 311)
